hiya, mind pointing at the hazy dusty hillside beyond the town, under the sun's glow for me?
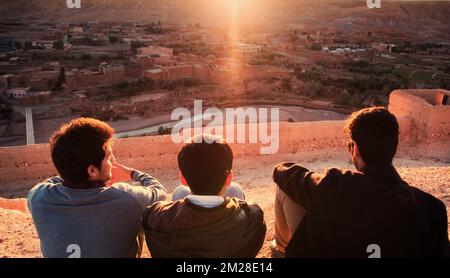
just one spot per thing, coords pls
(406, 16)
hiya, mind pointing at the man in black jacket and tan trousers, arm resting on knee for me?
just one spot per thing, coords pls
(368, 213)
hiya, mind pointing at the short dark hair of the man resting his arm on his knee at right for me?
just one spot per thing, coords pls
(375, 131)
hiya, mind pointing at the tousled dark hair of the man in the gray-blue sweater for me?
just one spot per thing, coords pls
(77, 145)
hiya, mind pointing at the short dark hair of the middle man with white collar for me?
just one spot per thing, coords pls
(205, 162)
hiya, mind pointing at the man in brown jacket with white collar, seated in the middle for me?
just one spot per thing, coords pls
(208, 217)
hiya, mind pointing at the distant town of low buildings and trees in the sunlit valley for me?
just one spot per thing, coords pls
(143, 70)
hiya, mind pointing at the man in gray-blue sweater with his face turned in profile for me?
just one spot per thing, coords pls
(89, 210)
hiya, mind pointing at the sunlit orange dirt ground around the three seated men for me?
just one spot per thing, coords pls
(18, 237)
